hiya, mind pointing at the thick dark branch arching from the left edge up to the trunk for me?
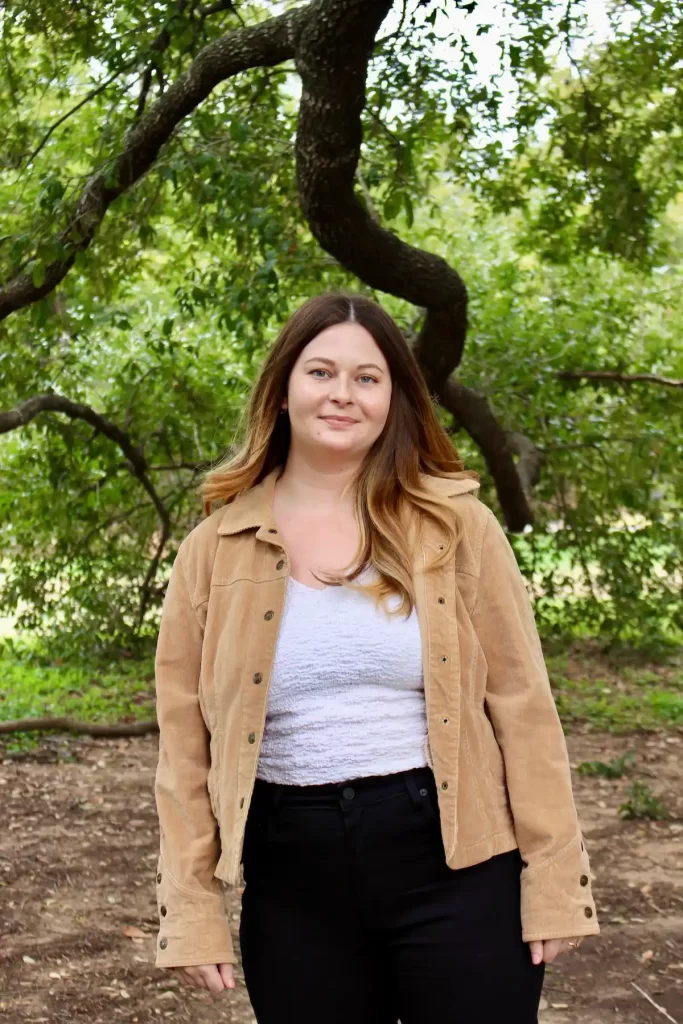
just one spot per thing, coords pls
(263, 46)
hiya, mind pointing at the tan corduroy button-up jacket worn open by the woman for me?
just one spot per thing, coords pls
(495, 741)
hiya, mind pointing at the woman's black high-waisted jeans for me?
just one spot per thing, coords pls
(352, 916)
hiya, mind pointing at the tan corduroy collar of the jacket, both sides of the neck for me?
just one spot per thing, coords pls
(253, 508)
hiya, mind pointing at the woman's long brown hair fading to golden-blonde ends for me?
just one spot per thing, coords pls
(389, 489)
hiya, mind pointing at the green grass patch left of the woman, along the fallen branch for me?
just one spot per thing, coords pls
(34, 687)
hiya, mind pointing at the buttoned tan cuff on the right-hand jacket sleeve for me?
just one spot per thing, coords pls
(557, 898)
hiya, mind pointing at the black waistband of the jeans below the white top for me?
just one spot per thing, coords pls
(368, 788)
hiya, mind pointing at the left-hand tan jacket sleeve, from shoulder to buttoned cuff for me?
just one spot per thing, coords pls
(194, 926)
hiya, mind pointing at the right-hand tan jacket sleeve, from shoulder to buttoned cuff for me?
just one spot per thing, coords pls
(557, 898)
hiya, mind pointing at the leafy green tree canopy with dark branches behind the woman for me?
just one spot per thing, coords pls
(177, 178)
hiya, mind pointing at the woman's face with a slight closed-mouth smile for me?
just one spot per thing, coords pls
(339, 393)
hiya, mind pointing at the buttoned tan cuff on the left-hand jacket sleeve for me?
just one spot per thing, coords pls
(194, 927)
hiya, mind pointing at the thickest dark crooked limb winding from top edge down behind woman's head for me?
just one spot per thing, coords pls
(332, 57)
